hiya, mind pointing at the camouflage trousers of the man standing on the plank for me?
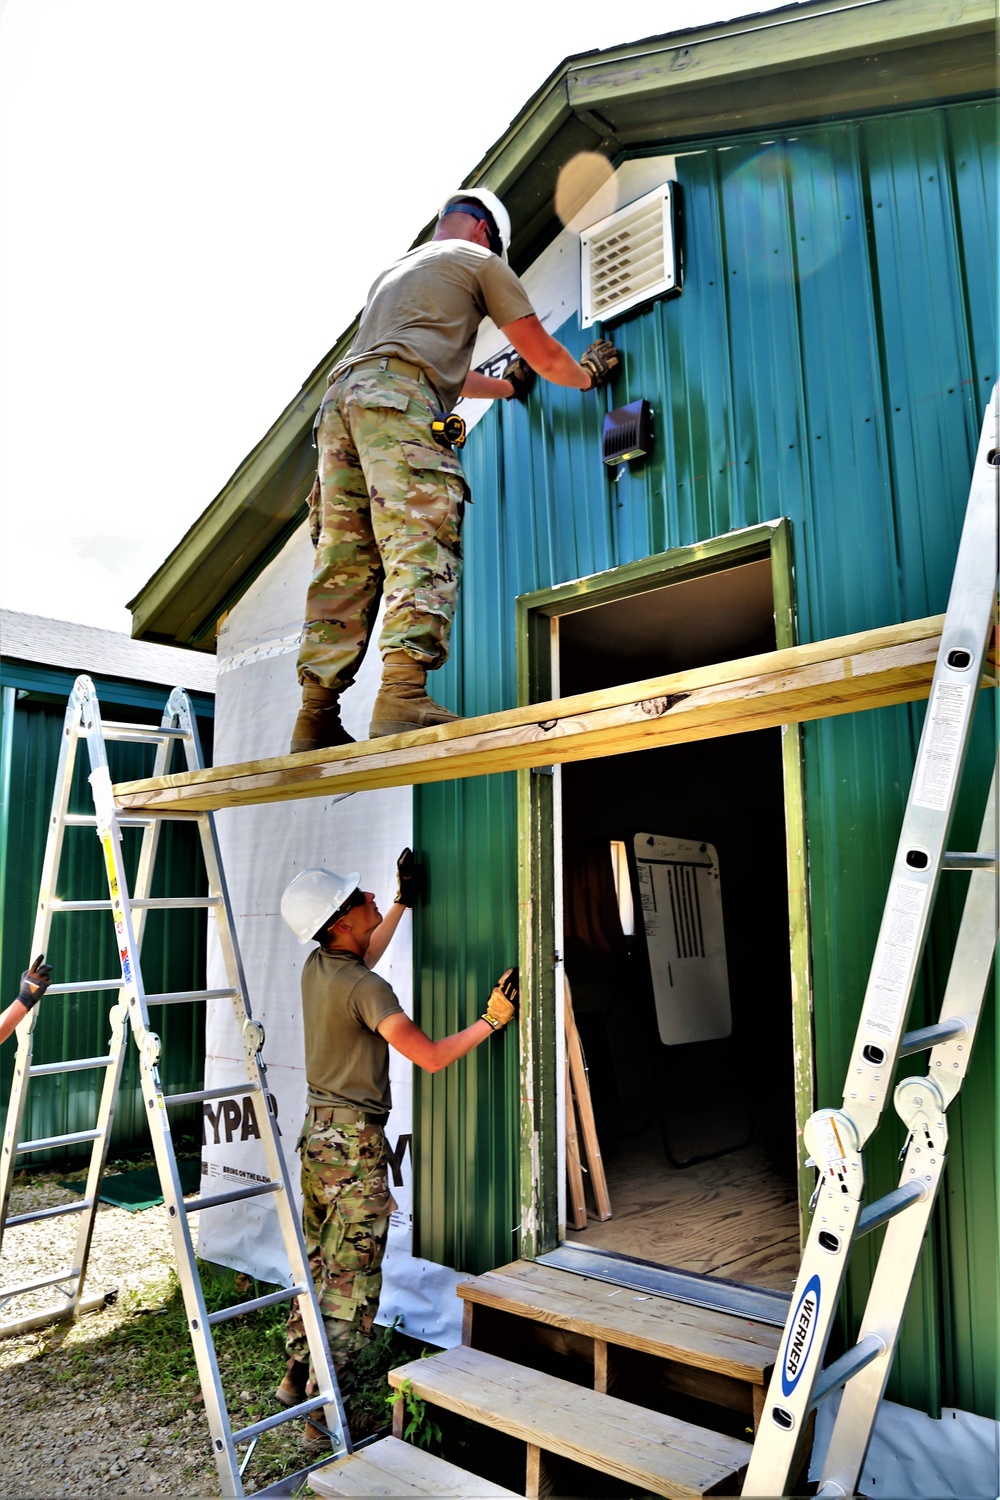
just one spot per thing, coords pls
(388, 520)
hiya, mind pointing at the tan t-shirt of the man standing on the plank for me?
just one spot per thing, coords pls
(430, 305)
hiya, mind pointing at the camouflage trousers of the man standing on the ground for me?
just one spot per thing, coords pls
(346, 1220)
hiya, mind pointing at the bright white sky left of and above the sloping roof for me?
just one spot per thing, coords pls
(196, 197)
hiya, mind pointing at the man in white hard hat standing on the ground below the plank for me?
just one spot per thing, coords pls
(352, 1018)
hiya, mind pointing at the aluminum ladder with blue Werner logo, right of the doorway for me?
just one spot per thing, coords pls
(836, 1139)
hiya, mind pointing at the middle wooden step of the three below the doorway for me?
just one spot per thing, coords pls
(656, 1454)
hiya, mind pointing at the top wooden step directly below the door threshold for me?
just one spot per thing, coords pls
(734, 1355)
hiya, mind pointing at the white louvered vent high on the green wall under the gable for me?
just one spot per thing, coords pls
(630, 257)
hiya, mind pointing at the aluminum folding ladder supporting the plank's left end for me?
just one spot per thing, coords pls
(133, 1012)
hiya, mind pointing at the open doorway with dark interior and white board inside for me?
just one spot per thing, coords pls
(695, 1094)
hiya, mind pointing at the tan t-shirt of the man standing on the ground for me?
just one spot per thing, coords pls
(347, 1061)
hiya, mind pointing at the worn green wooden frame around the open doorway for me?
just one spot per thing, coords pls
(542, 1030)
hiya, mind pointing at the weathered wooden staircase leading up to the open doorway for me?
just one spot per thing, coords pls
(584, 1375)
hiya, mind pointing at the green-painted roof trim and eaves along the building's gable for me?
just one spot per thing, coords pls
(824, 59)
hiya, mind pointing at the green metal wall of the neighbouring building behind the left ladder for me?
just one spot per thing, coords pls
(83, 943)
